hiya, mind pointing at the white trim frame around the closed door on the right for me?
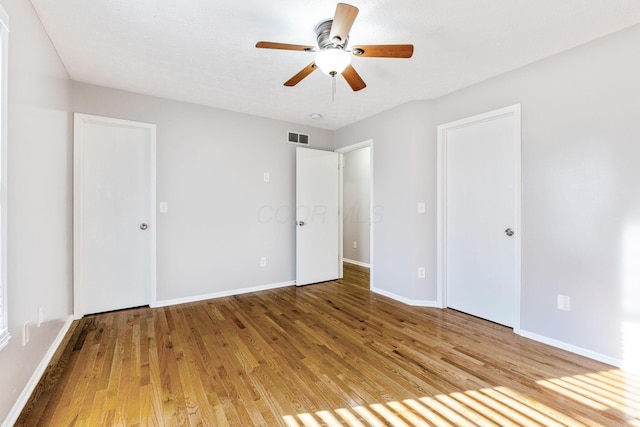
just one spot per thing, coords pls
(443, 130)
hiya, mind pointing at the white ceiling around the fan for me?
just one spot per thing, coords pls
(203, 51)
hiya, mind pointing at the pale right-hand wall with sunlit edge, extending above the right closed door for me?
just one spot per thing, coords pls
(581, 189)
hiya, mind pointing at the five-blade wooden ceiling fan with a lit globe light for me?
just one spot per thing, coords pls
(333, 57)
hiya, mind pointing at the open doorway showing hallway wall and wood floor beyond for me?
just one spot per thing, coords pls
(356, 206)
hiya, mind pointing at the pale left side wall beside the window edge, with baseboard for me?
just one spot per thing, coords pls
(39, 199)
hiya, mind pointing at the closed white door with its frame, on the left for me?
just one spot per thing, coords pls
(114, 223)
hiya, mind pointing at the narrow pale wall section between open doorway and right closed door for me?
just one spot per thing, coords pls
(404, 147)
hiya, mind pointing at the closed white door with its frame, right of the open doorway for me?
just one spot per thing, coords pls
(481, 228)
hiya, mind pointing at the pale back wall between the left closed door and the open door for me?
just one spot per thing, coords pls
(222, 216)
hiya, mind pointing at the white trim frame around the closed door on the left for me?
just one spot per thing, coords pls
(78, 185)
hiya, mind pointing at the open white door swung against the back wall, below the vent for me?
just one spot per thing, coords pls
(317, 216)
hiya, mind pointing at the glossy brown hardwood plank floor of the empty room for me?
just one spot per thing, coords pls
(326, 354)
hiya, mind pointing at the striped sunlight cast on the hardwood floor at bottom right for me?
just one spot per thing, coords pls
(616, 394)
